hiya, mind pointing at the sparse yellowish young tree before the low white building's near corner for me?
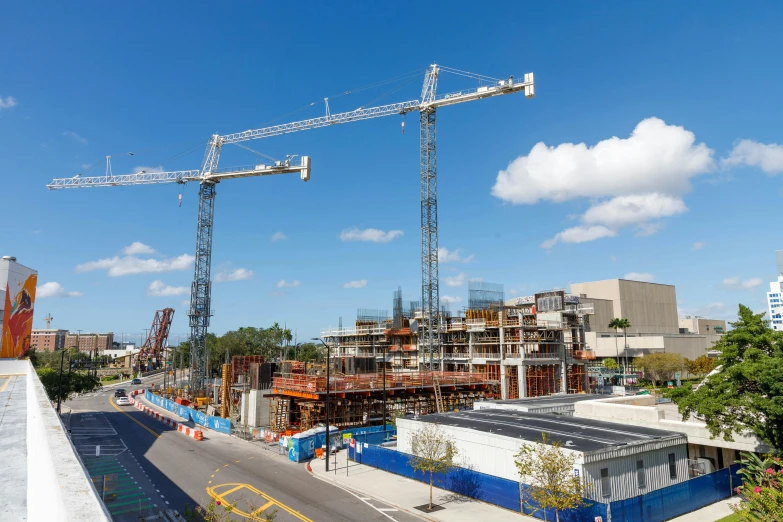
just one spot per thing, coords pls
(548, 470)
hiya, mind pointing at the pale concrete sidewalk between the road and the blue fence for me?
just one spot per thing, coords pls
(405, 494)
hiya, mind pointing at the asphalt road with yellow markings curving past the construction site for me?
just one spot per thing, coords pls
(157, 468)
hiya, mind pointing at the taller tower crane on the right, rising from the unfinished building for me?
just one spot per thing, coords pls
(426, 106)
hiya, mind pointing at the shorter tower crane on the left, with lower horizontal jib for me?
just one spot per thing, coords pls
(208, 177)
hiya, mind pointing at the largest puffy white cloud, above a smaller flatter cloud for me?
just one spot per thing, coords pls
(656, 158)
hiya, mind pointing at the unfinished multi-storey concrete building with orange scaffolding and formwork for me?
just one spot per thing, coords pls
(526, 347)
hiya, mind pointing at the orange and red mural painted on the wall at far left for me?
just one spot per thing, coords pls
(18, 313)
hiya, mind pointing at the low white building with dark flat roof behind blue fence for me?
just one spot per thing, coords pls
(617, 462)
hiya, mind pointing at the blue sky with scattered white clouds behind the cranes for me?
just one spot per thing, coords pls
(683, 201)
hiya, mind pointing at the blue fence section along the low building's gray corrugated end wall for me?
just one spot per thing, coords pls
(676, 500)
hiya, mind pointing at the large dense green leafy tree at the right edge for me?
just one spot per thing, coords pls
(747, 393)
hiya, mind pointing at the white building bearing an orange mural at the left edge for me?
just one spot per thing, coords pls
(17, 303)
